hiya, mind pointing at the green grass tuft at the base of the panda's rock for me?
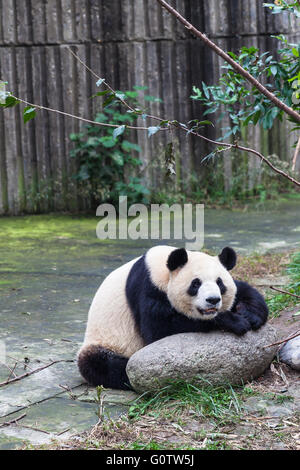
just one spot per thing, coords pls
(220, 403)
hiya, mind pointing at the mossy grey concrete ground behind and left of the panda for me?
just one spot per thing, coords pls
(50, 268)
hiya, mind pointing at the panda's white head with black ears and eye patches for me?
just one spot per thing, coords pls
(200, 285)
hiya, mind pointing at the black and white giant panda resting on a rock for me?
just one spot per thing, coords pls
(167, 291)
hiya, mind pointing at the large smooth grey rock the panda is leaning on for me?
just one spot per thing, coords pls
(218, 357)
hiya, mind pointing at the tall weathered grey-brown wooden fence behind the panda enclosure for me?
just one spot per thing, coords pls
(129, 42)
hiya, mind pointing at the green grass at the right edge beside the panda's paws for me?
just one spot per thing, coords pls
(279, 302)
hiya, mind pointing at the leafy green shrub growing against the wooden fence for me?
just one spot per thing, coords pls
(107, 161)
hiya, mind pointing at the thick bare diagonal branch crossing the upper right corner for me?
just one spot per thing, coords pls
(237, 67)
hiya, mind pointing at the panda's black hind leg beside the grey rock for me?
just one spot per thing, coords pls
(100, 366)
